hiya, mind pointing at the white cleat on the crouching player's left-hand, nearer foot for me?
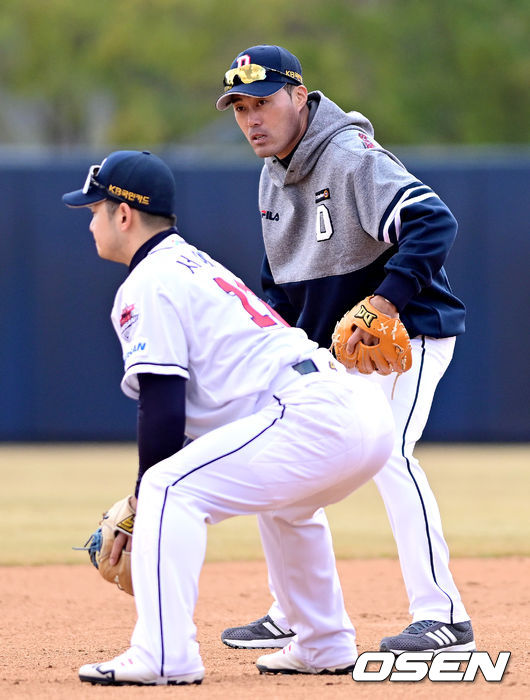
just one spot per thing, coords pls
(128, 670)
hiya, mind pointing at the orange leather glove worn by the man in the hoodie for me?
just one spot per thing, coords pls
(391, 354)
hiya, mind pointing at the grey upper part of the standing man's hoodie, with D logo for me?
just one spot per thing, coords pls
(339, 156)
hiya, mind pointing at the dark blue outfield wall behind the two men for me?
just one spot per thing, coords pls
(61, 362)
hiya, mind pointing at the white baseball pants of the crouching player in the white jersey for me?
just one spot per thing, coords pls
(321, 436)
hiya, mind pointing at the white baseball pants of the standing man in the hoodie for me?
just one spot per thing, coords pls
(410, 503)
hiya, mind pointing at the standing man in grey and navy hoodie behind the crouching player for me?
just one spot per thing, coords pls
(343, 219)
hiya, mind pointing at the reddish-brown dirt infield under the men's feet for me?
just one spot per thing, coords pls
(56, 618)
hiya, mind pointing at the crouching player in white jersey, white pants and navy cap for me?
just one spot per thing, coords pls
(277, 425)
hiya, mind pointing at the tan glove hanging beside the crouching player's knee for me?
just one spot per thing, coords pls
(119, 518)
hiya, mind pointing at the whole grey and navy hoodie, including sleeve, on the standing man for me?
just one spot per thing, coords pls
(344, 219)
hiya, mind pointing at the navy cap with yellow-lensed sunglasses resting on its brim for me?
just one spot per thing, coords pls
(260, 71)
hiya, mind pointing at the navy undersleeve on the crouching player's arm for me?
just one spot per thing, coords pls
(161, 419)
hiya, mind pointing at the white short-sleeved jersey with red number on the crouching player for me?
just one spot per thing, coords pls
(180, 312)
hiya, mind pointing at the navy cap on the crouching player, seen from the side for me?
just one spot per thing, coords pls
(138, 178)
